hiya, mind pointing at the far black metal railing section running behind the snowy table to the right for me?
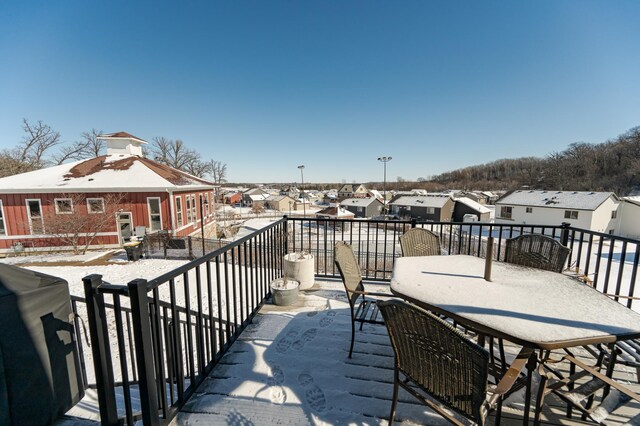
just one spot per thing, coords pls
(607, 262)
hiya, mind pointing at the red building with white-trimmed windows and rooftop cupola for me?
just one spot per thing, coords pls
(132, 193)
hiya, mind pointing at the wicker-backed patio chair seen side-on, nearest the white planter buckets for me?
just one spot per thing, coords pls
(363, 310)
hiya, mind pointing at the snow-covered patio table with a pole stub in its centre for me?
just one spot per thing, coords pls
(532, 308)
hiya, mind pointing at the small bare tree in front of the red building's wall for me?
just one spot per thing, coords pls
(76, 223)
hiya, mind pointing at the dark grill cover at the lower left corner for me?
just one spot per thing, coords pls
(40, 375)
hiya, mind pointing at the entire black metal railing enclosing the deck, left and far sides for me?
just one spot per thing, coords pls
(170, 332)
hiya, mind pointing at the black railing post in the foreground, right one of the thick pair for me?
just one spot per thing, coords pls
(144, 351)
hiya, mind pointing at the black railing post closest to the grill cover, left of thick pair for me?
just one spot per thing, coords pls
(96, 314)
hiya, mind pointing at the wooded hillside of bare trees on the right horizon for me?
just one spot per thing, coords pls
(610, 166)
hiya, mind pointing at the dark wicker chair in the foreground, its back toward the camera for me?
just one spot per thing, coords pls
(438, 360)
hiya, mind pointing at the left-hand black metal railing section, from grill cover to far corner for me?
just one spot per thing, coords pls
(169, 332)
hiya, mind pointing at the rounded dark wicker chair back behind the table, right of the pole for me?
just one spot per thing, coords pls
(537, 251)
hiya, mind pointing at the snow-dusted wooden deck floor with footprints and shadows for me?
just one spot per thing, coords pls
(291, 367)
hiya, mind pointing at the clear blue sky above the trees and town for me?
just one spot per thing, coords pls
(265, 86)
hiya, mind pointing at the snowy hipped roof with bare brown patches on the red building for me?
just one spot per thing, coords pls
(106, 173)
